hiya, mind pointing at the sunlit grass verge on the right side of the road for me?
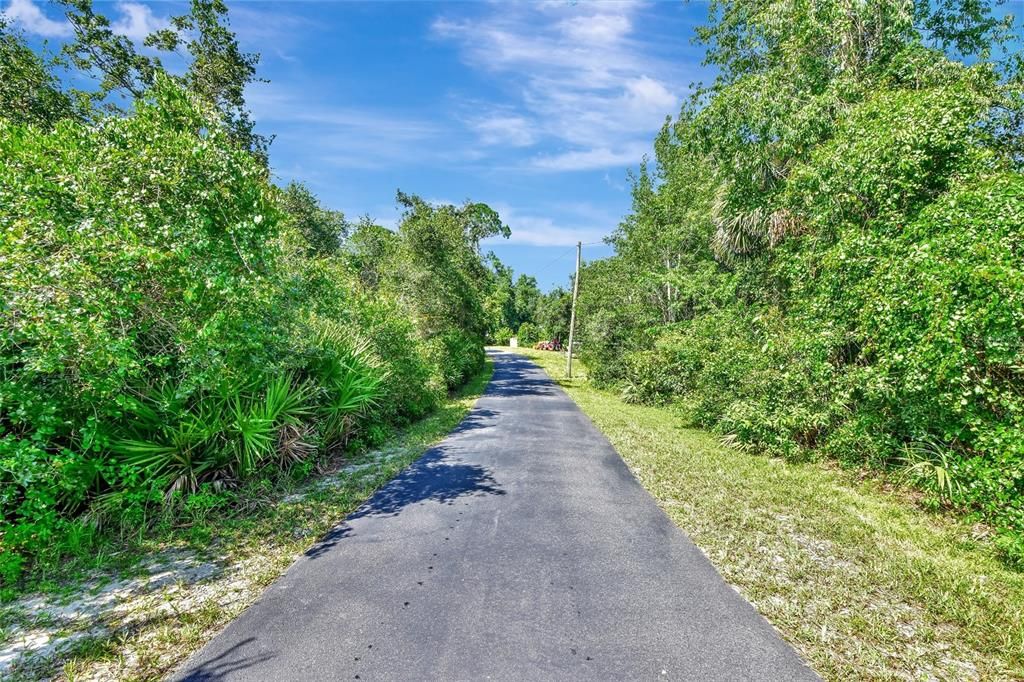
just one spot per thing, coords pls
(859, 578)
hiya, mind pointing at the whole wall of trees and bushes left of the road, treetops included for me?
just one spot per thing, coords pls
(174, 324)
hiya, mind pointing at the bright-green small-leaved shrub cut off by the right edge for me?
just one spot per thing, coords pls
(945, 317)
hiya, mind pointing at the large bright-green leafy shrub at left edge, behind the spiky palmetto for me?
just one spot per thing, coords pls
(137, 251)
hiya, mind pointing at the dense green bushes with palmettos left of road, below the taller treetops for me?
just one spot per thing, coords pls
(170, 323)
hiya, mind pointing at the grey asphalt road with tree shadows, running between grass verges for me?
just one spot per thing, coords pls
(521, 548)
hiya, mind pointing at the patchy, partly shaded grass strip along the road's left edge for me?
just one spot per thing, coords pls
(148, 634)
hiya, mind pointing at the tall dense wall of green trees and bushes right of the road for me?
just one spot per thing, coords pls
(836, 267)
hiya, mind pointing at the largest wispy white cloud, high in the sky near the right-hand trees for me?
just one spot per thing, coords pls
(583, 82)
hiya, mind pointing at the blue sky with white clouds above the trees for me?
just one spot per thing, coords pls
(537, 109)
